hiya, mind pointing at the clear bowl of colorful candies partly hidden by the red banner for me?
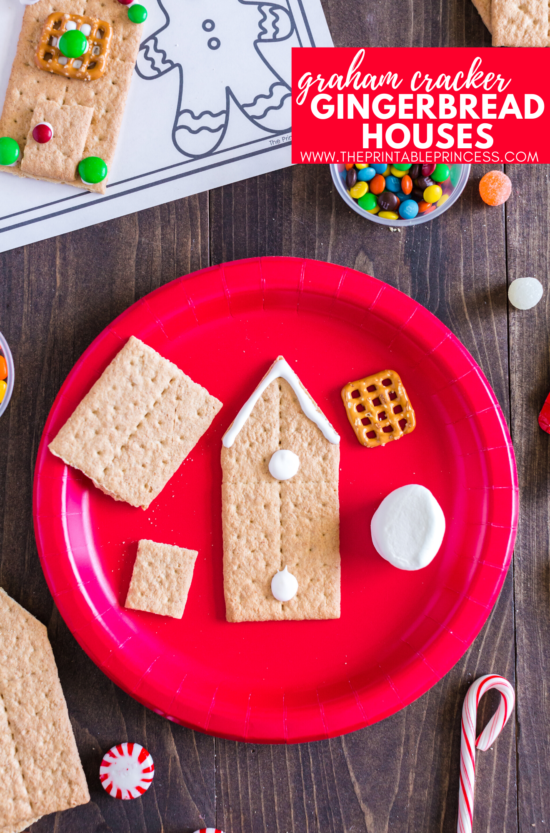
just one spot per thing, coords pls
(400, 195)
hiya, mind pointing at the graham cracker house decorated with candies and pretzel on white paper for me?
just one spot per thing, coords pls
(68, 88)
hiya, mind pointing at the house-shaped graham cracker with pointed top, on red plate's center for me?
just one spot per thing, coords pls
(268, 524)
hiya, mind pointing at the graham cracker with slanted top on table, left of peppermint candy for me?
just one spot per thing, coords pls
(41, 770)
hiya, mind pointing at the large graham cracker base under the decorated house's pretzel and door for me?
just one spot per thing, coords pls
(29, 86)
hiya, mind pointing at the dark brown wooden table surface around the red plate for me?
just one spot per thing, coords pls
(402, 774)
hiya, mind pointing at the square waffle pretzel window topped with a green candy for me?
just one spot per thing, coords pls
(89, 66)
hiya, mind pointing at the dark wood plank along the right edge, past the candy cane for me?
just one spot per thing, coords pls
(527, 214)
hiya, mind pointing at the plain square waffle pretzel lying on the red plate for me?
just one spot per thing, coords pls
(378, 408)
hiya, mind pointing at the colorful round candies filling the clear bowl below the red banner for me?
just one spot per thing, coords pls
(401, 191)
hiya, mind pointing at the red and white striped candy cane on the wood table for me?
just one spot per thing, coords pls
(469, 743)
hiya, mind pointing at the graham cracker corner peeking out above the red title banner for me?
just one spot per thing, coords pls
(520, 22)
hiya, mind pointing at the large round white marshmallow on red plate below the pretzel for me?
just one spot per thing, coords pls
(408, 527)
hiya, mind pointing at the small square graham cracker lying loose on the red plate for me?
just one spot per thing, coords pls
(161, 579)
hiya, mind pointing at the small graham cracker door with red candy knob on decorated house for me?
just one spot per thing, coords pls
(60, 156)
